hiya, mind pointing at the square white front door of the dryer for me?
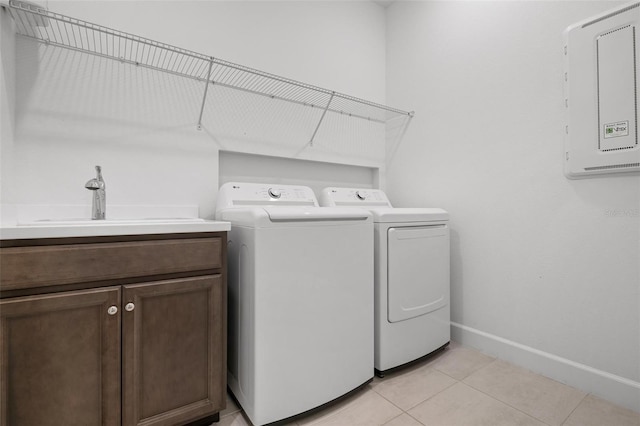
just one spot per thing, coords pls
(418, 271)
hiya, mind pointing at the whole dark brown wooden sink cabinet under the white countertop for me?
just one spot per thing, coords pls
(143, 342)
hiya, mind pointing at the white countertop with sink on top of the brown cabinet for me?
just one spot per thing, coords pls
(88, 228)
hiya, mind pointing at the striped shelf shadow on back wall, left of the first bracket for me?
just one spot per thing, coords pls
(86, 97)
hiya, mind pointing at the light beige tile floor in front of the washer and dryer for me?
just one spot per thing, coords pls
(461, 387)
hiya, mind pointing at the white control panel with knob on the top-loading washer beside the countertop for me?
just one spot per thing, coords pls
(234, 194)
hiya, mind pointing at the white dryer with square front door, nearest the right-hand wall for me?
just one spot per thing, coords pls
(412, 312)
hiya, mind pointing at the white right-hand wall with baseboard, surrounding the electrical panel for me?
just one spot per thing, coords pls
(545, 270)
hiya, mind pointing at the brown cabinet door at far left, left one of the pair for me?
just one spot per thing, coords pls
(61, 359)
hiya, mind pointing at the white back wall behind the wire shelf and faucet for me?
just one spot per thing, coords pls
(73, 111)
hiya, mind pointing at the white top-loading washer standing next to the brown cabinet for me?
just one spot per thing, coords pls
(300, 299)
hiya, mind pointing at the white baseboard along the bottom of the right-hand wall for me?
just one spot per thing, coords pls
(616, 389)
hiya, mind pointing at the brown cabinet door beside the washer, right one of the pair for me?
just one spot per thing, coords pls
(174, 361)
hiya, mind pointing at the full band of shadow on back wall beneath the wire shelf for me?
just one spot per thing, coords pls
(76, 96)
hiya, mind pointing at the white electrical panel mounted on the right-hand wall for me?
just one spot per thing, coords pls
(601, 93)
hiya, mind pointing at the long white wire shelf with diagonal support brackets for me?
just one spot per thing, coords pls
(52, 28)
